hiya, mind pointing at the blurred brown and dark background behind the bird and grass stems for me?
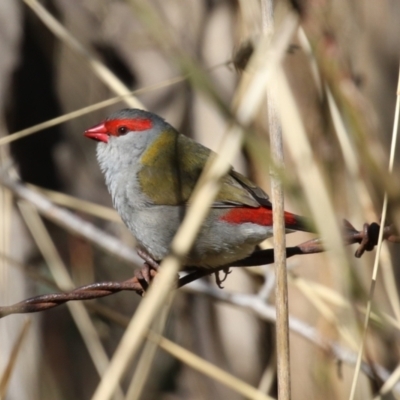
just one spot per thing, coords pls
(347, 48)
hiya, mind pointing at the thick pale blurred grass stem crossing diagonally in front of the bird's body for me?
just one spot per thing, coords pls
(252, 91)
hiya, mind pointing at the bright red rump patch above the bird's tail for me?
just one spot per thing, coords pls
(260, 216)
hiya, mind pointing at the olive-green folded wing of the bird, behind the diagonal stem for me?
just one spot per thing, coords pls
(172, 166)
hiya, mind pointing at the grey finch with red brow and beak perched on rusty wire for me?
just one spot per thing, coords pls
(151, 170)
